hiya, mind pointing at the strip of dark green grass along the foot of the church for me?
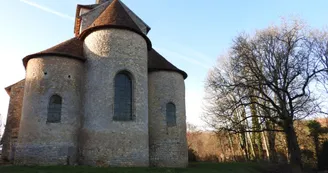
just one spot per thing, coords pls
(193, 168)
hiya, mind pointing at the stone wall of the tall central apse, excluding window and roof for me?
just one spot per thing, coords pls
(107, 142)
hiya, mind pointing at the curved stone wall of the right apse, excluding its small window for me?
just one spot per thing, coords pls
(167, 144)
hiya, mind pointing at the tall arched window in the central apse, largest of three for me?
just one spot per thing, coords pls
(123, 97)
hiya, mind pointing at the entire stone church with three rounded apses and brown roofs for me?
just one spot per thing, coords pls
(102, 98)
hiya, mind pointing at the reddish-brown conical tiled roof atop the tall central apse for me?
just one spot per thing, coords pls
(114, 16)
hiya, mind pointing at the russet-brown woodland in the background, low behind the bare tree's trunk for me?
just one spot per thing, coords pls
(225, 146)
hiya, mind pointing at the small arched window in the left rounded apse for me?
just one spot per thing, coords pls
(54, 109)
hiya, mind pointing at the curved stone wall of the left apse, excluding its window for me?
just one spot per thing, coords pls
(41, 142)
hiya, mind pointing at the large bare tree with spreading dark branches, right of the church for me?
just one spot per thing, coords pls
(281, 62)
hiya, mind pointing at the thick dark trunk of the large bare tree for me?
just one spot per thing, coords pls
(293, 147)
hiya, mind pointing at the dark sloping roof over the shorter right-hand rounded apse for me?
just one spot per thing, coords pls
(156, 62)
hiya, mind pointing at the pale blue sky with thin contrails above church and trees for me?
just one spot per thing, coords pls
(191, 34)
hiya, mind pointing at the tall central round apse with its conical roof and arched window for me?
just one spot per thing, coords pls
(115, 129)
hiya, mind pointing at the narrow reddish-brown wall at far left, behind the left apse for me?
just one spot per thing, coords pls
(13, 120)
